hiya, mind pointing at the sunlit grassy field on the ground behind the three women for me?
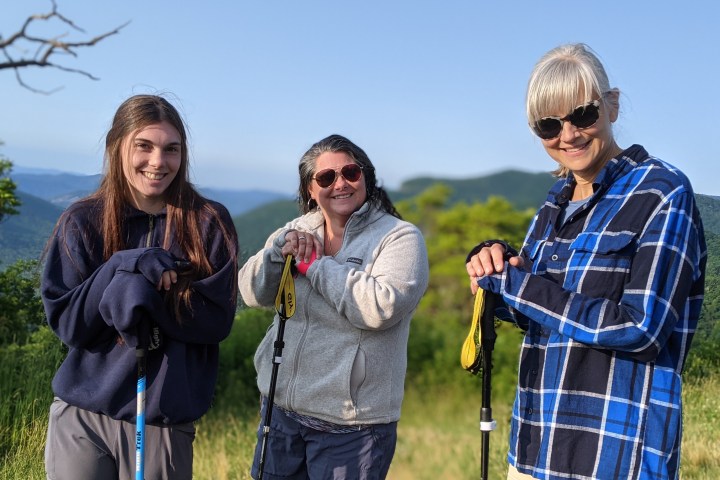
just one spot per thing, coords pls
(438, 435)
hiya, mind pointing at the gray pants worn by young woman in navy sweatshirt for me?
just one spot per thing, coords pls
(83, 445)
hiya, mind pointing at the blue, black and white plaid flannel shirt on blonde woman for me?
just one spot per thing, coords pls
(609, 299)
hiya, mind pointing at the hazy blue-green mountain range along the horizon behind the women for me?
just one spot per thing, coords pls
(257, 212)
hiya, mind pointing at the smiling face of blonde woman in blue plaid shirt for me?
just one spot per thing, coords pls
(586, 151)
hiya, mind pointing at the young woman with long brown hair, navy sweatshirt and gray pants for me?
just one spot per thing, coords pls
(112, 279)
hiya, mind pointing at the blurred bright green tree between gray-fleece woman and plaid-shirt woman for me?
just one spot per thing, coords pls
(443, 316)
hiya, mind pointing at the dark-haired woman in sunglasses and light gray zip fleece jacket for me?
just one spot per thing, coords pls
(362, 271)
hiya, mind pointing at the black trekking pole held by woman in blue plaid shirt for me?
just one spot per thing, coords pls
(488, 336)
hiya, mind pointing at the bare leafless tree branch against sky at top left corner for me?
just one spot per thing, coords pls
(46, 47)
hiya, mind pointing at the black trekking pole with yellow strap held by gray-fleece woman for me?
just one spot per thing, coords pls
(285, 307)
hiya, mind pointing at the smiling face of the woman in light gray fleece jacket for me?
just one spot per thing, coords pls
(342, 197)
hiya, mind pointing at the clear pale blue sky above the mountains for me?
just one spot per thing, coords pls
(425, 87)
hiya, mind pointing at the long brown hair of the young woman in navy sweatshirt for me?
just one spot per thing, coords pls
(187, 210)
